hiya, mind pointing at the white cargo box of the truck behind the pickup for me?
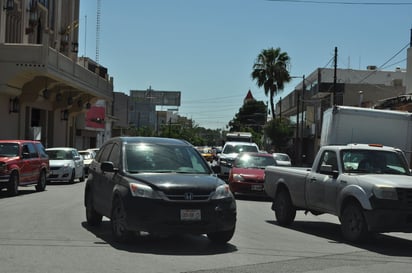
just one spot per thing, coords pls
(346, 124)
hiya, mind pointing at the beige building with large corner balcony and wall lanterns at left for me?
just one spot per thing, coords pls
(46, 91)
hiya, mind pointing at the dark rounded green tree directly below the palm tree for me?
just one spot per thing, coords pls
(280, 132)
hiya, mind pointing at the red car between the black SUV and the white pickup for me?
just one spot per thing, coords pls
(248, 173)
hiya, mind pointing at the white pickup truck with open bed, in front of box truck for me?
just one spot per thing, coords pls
(369, 187)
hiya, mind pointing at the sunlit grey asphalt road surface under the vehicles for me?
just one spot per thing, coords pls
(46, 232)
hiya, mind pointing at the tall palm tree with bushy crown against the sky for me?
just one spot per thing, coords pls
(270, 70)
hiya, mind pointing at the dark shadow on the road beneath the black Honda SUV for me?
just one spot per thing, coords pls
(170, 245)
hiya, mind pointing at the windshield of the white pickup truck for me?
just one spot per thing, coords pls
(367, 161)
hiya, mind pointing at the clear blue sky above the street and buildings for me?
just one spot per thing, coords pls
(206, 49)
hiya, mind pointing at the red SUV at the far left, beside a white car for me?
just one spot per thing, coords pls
(22, 163)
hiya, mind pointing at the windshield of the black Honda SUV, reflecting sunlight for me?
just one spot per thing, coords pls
(164, 159)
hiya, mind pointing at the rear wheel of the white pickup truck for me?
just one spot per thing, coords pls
(284, 210)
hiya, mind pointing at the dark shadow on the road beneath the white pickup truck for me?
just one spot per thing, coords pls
(379, 243)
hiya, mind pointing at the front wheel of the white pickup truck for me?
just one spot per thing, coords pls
(353, 224)
